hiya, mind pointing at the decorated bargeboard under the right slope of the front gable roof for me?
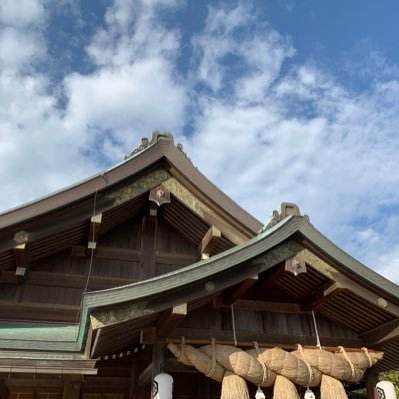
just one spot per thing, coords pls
(345, 282)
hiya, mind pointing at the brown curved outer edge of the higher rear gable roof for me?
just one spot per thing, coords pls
(163, 149)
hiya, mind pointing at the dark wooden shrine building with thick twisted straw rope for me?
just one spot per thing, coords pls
(148, 270)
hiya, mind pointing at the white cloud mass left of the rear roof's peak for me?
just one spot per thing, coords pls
(45, 147)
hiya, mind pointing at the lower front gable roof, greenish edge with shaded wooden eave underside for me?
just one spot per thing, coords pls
(351, 295)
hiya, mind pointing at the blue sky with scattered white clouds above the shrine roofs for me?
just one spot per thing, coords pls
(273, 100)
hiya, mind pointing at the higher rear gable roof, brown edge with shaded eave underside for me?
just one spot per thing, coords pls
(62, 220)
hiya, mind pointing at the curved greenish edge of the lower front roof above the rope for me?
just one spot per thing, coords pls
(205, 269)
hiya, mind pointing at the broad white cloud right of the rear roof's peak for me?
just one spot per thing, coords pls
(299, 136)
